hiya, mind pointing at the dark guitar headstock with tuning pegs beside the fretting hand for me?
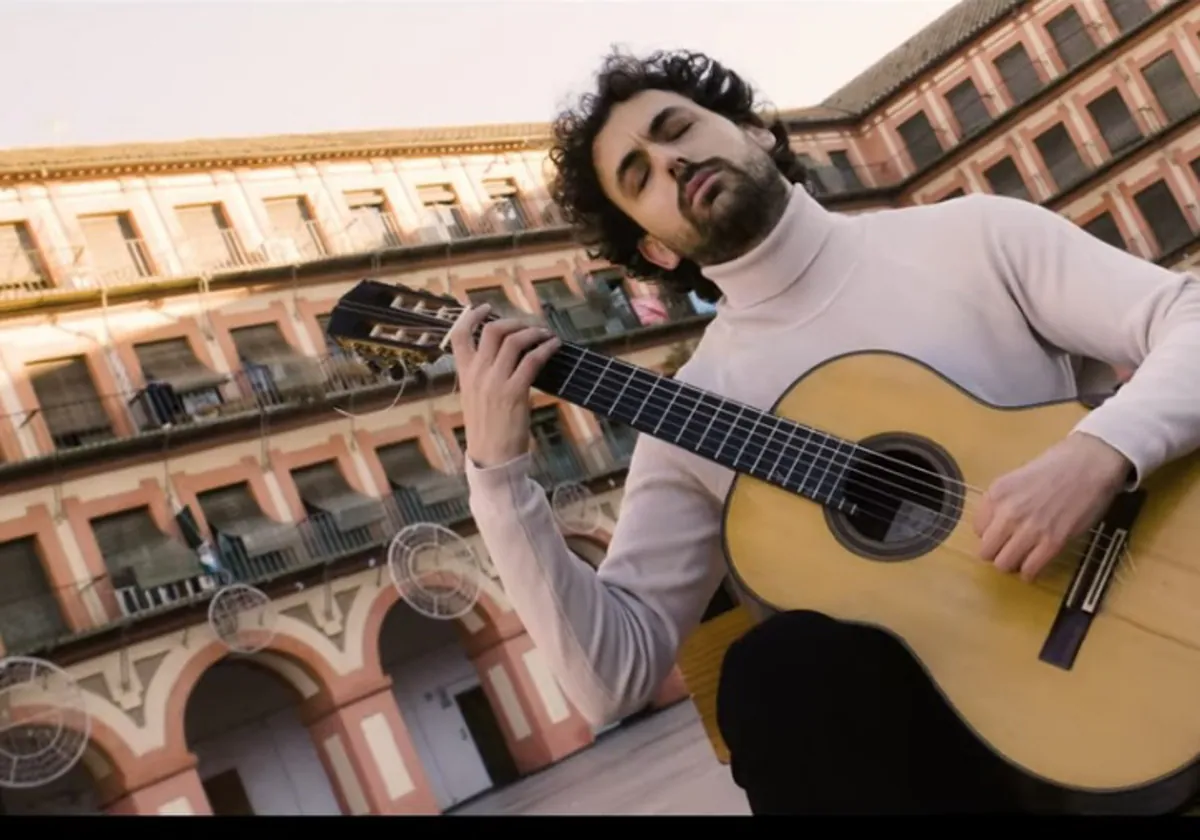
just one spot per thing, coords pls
(393, 325)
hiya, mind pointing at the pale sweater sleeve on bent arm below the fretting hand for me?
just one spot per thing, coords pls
(611, 637)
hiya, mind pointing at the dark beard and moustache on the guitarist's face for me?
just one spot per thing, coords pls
(739, 209)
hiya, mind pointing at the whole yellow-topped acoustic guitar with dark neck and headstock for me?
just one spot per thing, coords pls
(854, 497)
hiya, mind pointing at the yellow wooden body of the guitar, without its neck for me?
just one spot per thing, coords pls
(1125, 715)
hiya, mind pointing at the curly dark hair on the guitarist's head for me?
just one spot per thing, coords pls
(604, 230)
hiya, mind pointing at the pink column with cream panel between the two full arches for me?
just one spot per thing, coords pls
(370, 757)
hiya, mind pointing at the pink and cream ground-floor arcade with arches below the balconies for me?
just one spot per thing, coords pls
(357, 706)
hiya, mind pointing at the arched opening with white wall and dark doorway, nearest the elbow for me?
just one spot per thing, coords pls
(457, 734)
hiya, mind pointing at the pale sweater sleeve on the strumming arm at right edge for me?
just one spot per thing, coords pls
(1099, 302)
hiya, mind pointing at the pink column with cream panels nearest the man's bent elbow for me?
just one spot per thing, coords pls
(539, 723)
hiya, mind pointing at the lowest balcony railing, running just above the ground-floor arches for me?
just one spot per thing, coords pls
(52, 619)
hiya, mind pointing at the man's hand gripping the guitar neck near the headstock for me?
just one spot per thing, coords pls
(496, 381)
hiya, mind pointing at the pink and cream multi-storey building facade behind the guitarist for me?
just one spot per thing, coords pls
(167, 380)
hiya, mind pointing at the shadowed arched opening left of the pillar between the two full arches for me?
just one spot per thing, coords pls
(256, 757)
